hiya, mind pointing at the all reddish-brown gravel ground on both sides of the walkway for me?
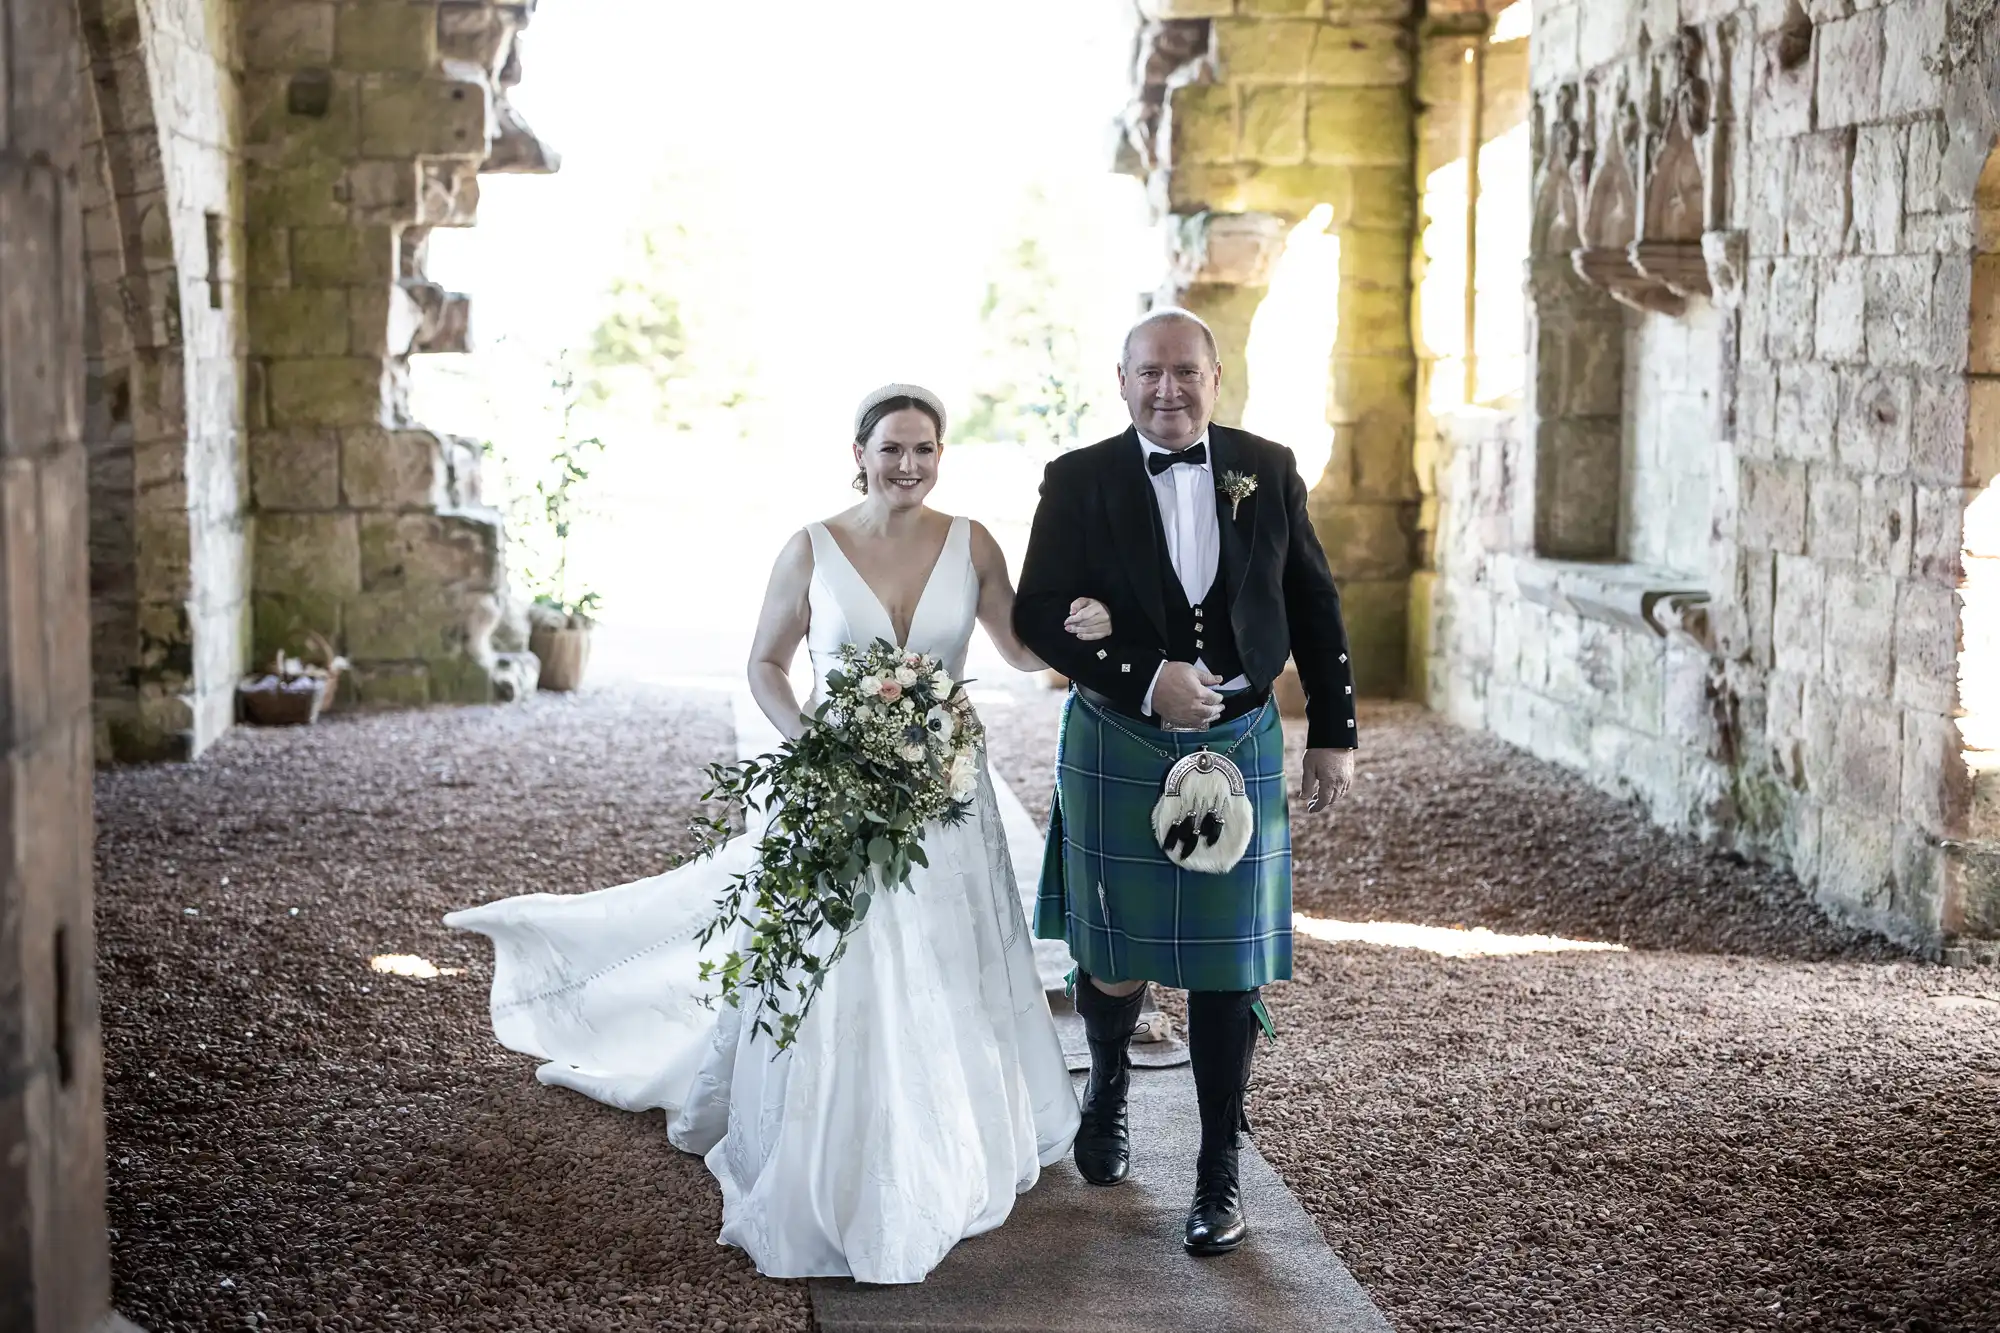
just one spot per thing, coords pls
(1749, 1120)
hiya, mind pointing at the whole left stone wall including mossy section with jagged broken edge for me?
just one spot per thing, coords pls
(259, 185)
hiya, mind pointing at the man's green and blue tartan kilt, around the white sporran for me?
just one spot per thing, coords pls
(1111, 894)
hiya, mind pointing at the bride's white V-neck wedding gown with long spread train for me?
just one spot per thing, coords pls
(925, 1090)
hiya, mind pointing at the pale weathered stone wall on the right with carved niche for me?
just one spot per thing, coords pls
(1789, 173)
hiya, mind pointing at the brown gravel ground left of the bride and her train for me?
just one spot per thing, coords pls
(307, 1144)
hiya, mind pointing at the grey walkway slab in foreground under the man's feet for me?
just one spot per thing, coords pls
(1085, 1260)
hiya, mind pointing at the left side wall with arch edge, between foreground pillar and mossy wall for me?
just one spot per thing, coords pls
(163, 211)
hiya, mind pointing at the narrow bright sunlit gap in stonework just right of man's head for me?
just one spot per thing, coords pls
(1291, 345)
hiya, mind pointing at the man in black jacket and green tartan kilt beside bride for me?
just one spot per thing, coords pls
(1197, 539)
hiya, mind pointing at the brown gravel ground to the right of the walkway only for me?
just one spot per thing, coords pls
(1747, 1122)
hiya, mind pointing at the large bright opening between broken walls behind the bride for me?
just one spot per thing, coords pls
(755, 225)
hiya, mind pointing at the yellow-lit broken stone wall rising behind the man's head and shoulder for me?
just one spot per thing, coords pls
(1247, 117)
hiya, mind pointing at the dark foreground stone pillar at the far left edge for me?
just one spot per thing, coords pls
(55, 1264)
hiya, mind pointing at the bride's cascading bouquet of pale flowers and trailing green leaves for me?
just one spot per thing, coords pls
(893, 750)
